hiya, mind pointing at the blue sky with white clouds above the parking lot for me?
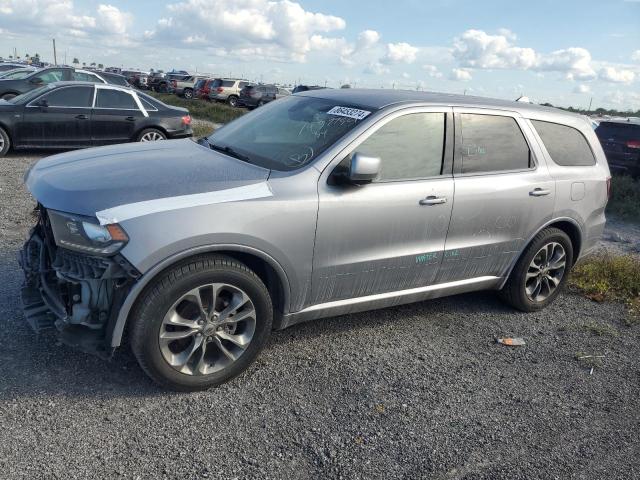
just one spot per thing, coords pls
(568, 53)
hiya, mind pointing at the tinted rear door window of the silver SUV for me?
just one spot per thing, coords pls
(491, 143)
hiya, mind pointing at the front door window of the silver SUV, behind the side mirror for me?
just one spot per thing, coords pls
(409, 147)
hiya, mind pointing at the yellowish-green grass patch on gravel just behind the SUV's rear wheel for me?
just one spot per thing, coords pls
(610, 277)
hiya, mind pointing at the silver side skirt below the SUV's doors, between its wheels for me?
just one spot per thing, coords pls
(389, 299)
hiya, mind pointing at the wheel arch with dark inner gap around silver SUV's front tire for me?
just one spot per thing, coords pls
(266, 267)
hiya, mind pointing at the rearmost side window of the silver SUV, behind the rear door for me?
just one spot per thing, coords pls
(566, 145)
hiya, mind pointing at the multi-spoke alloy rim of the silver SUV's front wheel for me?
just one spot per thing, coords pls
(207, 329)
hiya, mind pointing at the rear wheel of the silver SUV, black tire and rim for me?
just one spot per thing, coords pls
(520, 291)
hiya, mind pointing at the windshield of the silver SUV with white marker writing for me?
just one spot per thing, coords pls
(289, 133)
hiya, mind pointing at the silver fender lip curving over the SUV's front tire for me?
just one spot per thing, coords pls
(114, 335)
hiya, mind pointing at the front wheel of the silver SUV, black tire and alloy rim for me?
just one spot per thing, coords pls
(149, 322)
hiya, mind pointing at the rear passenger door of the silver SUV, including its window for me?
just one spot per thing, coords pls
(503, 194)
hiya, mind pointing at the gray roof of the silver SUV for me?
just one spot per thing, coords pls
(380, 98)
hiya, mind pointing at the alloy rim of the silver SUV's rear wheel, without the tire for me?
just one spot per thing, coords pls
(545, 272)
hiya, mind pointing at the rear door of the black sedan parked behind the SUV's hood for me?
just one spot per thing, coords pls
(116, 116)
